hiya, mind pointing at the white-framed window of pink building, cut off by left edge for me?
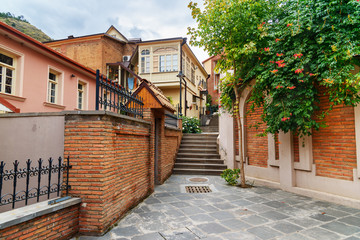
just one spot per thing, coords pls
(7, 74)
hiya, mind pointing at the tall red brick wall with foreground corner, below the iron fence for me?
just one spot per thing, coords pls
(111, 167)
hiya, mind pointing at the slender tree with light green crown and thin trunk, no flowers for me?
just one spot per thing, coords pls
(230, 29)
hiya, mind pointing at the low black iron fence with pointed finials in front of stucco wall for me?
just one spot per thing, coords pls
(53, 172)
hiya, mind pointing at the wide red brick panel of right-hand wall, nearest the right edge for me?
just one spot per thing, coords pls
(334, 147)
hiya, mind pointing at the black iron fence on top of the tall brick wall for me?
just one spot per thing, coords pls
(110, 95)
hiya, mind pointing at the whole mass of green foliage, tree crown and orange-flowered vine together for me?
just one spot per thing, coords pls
(290, 48)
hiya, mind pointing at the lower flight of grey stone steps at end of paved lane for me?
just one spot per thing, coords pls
(198, 155)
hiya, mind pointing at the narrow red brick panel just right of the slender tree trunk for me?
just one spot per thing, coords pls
(256, 147)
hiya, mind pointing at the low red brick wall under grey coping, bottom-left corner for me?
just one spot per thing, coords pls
(62, 224)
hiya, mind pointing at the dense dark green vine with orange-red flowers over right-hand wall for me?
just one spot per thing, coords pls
(310, 44)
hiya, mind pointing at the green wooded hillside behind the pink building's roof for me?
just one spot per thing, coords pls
(21, 24)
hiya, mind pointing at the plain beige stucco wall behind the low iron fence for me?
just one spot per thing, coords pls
(24, 137)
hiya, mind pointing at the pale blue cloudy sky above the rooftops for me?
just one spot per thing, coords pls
(147, 19)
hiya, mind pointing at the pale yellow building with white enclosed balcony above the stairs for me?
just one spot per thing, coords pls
(159, 62)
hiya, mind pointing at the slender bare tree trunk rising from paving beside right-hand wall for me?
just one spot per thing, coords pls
(238, 121)
